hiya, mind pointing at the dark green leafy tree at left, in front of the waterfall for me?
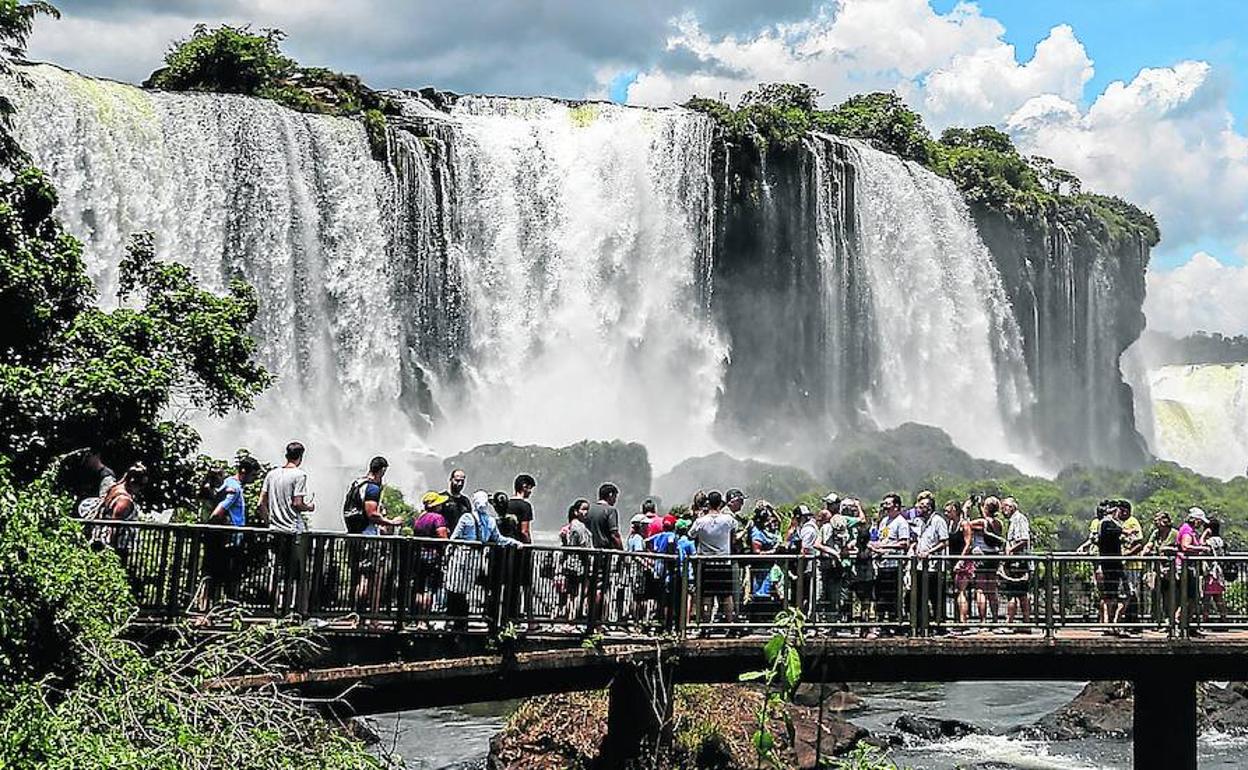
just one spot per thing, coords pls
(76, 376)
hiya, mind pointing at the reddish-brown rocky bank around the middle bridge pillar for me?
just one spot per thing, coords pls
(712, 728)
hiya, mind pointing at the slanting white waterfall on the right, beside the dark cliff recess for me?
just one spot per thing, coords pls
(945, 348)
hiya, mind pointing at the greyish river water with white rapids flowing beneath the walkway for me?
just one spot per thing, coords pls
(459, 739)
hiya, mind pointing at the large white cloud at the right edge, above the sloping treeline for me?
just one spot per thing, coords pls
(1166, 142)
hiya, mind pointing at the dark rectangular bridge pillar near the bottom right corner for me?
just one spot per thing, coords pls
(1165, 722)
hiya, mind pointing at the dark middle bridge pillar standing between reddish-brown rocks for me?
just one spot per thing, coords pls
(640, 714)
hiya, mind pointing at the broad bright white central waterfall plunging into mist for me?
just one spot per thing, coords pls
(583, 234)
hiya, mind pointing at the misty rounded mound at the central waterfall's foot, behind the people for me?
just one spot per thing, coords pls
(563, 475)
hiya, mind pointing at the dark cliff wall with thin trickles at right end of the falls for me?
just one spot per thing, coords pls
(1078, 290)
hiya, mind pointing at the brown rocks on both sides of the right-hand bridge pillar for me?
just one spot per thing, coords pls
(1105, 709)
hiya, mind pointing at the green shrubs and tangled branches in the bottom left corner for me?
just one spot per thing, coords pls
(76, 694)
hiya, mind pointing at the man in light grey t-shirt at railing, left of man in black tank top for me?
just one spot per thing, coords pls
(284, 500)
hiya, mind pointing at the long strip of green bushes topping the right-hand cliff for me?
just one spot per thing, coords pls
(983, 162)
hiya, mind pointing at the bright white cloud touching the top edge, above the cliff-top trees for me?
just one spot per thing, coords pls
(957, 67)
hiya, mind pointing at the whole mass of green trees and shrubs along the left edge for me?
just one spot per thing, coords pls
(74, 691)
